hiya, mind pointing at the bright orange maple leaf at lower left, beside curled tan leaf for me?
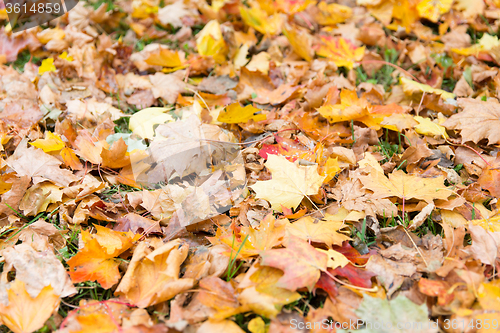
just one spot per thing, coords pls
(96, 261)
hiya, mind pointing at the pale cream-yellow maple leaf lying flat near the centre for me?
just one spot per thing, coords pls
(290, 183)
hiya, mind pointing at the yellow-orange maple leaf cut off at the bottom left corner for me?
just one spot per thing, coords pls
(24, 313)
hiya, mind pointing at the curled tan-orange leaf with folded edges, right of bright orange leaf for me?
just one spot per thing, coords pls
(152, 277)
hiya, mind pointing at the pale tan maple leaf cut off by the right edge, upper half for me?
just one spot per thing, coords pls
(478, 120)
